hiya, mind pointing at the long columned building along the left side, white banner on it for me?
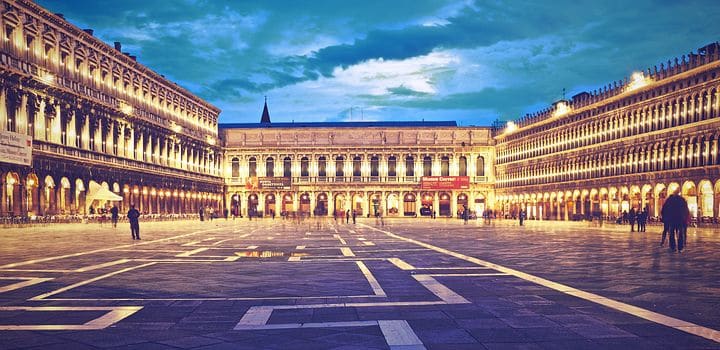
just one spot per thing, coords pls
(97, 117)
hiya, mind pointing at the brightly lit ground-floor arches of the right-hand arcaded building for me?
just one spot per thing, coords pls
(703, 197)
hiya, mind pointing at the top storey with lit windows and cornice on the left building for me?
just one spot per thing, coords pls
(64, 52)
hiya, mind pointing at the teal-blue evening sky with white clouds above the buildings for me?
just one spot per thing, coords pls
(469, 61)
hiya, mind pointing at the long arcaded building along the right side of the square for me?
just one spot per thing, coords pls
(627, 145)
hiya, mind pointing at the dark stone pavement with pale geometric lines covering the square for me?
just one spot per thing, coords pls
(320, 284)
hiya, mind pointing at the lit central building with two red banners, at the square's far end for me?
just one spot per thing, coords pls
(326, 169)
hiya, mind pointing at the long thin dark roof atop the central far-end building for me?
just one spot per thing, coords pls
(400, 124)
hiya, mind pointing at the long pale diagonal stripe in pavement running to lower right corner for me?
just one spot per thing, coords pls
(705, 332)
